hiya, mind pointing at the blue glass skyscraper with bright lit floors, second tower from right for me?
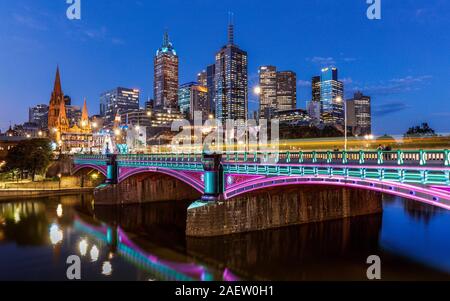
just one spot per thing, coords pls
(331, 97)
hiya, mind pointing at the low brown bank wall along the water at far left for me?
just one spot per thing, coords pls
(8, 194)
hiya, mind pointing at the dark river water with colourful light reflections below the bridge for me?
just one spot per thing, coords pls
(147, 242)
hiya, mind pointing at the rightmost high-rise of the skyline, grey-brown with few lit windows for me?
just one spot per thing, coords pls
(359, 114)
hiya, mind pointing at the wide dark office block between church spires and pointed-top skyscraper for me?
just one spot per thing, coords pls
(118, 100)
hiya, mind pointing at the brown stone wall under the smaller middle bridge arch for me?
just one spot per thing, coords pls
(142, 186)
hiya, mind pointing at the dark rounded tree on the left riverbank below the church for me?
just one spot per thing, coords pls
(32, 155)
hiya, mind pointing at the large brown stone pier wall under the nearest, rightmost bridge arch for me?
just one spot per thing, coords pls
(280, 207)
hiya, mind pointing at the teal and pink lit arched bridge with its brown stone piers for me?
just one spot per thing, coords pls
(241, 192)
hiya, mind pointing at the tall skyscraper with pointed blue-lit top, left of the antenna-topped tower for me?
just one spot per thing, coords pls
(165, 84)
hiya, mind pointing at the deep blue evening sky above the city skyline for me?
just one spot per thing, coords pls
(402, 60)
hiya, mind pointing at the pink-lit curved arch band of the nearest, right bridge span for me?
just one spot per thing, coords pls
(421, 193)
